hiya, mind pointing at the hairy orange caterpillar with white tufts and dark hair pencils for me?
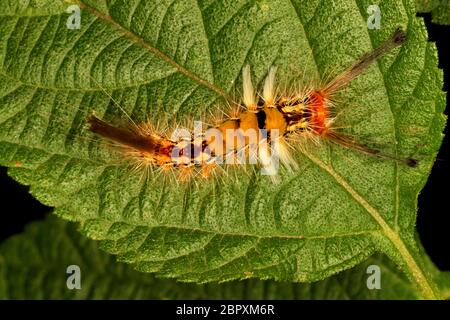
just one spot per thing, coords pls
(258, 133)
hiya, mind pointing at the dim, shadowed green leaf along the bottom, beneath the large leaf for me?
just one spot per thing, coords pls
(33, 266)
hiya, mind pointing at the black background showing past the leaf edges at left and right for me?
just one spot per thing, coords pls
(433, 223)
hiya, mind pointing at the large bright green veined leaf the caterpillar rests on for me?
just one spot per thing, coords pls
(174, 60)
